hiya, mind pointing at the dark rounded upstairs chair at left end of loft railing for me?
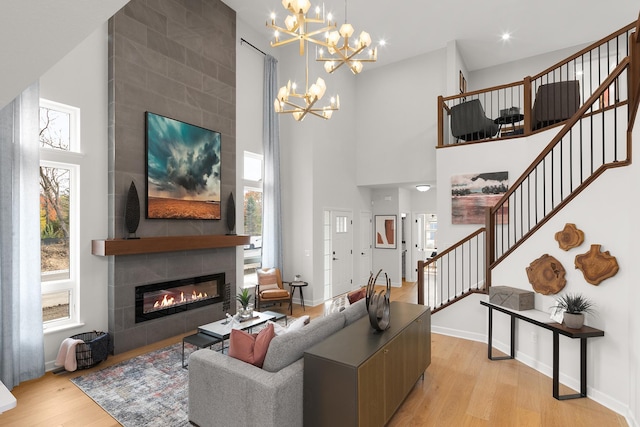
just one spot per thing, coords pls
(469, 122)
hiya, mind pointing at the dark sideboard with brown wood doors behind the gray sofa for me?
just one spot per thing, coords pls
(357, 377)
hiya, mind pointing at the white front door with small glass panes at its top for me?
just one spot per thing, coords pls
(341, 252)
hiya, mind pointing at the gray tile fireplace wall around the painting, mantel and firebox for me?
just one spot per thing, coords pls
(175, 58)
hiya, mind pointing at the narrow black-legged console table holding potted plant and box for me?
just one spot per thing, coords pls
(541, 319)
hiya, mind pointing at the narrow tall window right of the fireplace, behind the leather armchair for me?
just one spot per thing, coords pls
(252, 213)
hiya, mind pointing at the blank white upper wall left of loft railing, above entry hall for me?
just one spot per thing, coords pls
(396, 120)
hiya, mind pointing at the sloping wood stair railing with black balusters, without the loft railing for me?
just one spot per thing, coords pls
(446, 279)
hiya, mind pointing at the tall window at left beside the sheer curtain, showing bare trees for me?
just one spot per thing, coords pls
(59, 155)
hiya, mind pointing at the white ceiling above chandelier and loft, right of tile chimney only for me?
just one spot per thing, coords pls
(415, 27)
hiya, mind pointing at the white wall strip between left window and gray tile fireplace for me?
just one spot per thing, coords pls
(80, 80)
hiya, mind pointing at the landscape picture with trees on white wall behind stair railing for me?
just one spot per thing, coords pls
(471, 194)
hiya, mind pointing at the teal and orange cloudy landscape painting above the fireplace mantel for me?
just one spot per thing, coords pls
(183, 170)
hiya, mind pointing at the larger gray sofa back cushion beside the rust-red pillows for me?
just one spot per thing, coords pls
(286, 349)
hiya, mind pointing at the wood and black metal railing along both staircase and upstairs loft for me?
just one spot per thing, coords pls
(596, 138)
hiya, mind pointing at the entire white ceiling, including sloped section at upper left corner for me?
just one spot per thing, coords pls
(35, 34)
